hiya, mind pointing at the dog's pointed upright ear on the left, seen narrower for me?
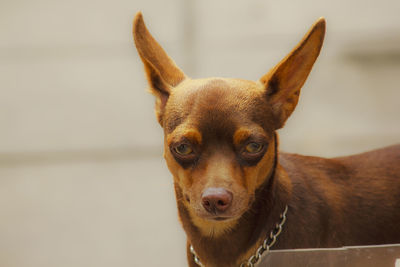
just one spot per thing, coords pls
(162, 73)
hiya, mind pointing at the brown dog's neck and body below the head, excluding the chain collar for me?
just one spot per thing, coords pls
(332, 203)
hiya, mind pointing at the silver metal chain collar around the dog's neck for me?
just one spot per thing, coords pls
(265, 247)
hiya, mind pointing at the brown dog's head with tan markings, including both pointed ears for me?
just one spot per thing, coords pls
(219, 133)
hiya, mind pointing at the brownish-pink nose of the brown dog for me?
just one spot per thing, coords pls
(216, 199)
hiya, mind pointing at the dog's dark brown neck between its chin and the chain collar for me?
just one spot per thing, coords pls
(252, 228)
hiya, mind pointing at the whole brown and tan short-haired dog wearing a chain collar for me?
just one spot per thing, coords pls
(232, 186)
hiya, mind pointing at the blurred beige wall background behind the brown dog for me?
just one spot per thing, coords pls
(82, 180)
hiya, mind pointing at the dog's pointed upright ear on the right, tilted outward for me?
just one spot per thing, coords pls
(284, 81)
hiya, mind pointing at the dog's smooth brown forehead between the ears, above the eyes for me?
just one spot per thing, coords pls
(216, 105)
